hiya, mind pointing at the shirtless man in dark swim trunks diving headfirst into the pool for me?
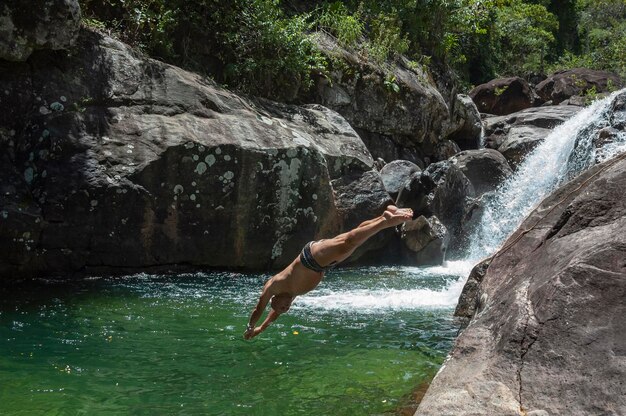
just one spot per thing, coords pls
(307, 270)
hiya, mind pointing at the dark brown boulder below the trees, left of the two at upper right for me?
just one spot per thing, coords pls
(503, 96)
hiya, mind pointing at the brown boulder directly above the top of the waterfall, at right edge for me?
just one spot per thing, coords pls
(562, 85)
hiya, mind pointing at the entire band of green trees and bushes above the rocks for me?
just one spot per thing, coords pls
(258, 47)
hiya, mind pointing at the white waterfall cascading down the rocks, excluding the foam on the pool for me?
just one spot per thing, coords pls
(564, 153)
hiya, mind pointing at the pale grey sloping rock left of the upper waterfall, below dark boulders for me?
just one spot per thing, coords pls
(515, 135)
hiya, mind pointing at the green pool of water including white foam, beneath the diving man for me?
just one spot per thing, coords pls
(157, 345)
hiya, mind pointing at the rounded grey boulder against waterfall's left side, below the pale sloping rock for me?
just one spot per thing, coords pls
(485, 168)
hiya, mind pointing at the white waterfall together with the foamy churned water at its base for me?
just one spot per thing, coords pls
(567, 151)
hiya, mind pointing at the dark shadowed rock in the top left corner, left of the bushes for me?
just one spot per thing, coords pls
(26, 26)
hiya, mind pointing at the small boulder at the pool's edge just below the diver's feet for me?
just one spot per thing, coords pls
(427, 238)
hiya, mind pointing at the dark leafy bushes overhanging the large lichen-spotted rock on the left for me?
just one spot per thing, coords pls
(250, 45)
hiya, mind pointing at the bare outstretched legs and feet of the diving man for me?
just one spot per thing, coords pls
(335, 250)
